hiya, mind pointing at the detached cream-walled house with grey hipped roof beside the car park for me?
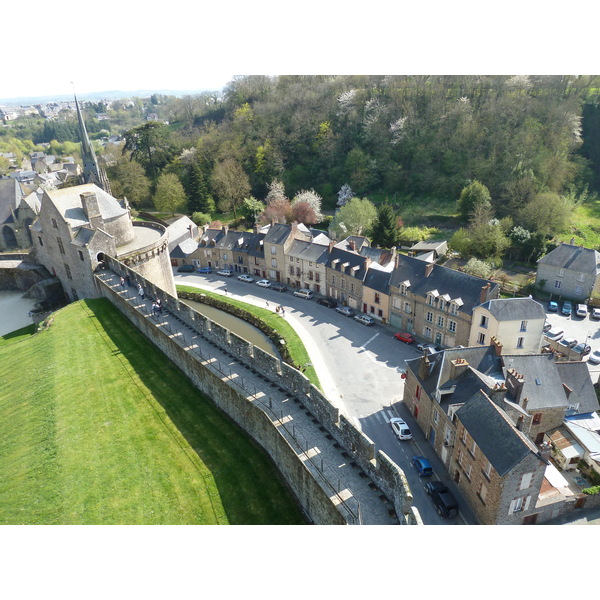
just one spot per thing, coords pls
(517, 323)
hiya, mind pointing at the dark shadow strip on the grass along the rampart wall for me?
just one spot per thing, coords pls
(251, 489)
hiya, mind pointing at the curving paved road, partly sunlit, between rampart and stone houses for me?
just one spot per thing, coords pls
(359, 368)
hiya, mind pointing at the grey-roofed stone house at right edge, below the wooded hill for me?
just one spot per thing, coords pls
(569, 272)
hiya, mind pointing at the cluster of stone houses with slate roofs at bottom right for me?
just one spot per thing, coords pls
(490, 418)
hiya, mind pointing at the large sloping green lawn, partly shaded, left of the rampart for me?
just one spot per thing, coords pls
(99, 427)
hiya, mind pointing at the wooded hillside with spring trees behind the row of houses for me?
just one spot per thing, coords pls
(500, 165)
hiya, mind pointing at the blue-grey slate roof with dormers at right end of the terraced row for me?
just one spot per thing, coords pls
(446, 281)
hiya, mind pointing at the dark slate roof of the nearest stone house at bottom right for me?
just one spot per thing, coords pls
(500, 442)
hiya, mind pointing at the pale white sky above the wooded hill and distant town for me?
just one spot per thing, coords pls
(176, 45)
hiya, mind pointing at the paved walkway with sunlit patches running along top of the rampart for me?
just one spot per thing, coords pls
(326, 459)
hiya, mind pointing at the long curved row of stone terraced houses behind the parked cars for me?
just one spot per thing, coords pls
(416, 296)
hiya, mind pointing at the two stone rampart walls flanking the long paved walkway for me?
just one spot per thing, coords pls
(254, 418)
